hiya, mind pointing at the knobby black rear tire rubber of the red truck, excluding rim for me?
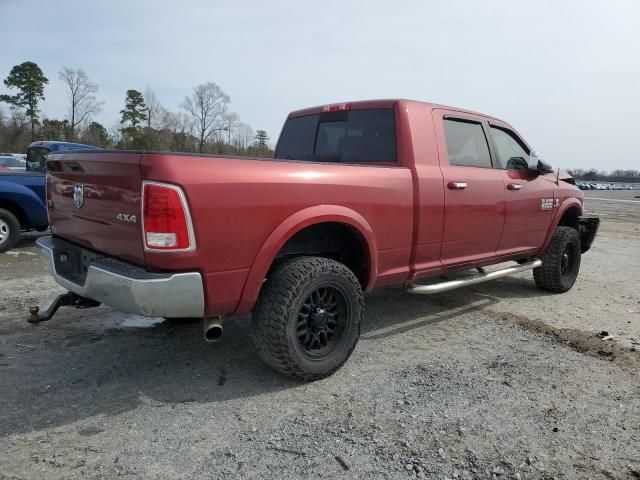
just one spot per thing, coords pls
(276, 316)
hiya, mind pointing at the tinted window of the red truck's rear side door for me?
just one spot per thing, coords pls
(466, 144)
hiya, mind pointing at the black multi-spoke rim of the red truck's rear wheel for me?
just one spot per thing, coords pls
(322, 320)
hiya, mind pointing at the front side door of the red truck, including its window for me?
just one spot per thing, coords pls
(529, 195)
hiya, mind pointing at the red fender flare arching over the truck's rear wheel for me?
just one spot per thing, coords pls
(288, 228)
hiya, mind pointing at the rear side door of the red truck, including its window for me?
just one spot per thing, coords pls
(474, 193)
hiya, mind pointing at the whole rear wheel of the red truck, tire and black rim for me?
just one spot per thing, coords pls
(307, 320)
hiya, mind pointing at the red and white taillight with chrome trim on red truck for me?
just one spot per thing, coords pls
(166, 222)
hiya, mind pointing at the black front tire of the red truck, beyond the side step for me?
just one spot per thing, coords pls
(550, 276)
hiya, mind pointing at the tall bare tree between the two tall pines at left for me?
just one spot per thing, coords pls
(81, 92)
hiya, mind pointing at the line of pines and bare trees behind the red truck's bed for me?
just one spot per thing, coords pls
(204, 123)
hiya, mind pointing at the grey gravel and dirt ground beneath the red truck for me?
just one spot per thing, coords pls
(499, 380)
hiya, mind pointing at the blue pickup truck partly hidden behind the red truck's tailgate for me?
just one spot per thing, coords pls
(22, 194)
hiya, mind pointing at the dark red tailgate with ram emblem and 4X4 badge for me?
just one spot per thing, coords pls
(94, 201)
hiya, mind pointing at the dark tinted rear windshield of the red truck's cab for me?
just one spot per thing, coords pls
(356, 136)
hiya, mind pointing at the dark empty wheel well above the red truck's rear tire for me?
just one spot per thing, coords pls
(337, 241)
